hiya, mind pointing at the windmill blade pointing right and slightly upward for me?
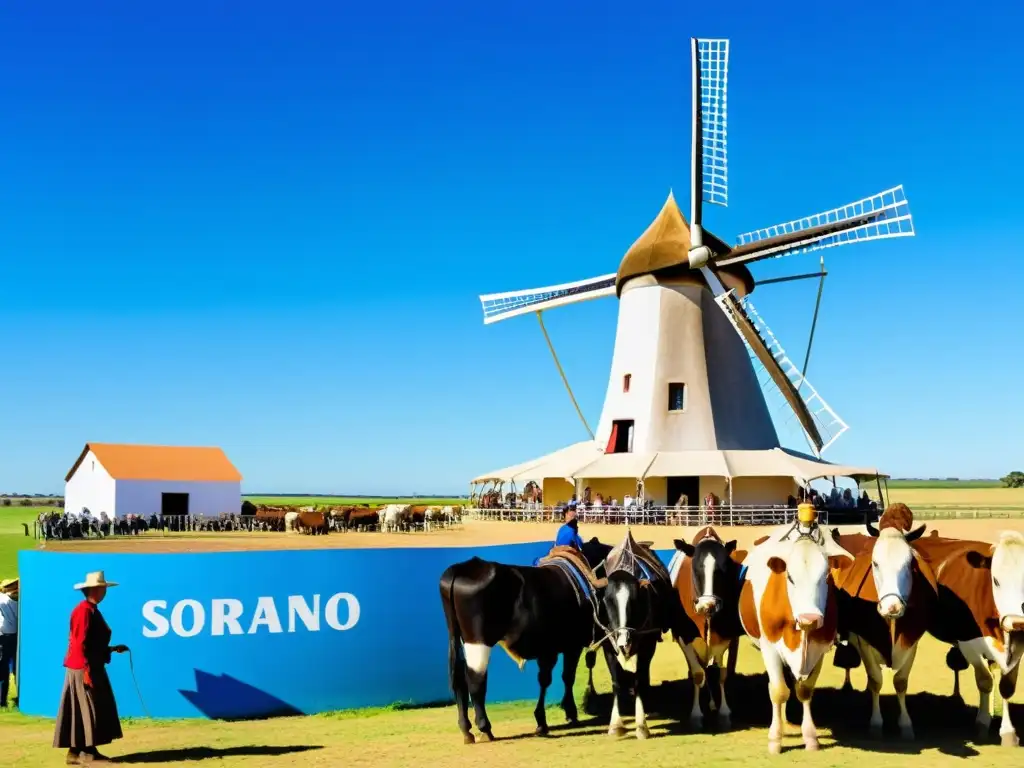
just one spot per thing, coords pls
(878, 218)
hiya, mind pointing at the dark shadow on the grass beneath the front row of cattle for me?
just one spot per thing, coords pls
(943, 723)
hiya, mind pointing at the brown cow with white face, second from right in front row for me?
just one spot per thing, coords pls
(886, 598)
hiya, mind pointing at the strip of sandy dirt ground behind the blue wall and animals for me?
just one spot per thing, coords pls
(471, 534)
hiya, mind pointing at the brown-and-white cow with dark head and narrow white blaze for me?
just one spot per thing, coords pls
(708, 577)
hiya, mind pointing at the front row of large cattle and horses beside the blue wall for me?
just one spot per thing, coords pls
(797, 593)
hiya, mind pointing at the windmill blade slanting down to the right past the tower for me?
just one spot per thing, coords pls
(822, 425)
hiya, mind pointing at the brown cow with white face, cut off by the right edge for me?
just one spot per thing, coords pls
(982, 612)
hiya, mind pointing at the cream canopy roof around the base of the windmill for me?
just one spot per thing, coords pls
(588, 461)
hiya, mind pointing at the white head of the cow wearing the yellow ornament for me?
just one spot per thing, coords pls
(806, 565)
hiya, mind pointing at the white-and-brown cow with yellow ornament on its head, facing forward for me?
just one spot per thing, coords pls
(788, 608)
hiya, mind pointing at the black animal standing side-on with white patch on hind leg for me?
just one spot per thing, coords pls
(533, 612)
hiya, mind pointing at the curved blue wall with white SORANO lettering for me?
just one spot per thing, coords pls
(250, 634)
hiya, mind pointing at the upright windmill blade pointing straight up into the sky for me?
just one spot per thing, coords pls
(709, 167)
